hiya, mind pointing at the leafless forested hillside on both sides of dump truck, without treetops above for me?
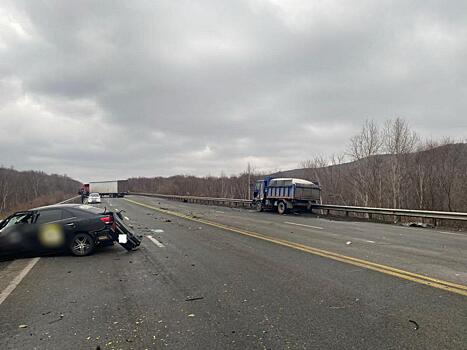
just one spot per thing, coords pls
(432, 179)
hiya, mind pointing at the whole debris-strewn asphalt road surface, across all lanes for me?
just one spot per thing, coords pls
(193, 285)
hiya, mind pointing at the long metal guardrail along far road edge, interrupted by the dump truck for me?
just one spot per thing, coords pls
(435, 215)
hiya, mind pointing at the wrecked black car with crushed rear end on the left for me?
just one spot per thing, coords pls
(74, 228)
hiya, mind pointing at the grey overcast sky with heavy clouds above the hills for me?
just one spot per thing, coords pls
(112, 89)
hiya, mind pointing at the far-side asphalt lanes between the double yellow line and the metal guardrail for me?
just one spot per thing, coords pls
(424, 251)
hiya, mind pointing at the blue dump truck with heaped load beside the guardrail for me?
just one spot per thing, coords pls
(285, 194)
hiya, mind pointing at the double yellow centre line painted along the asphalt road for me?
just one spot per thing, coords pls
(410, 276)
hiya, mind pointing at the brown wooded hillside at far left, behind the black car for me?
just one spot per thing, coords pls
(20, 190)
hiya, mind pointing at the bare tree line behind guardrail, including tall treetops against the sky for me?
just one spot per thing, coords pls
(386, 165)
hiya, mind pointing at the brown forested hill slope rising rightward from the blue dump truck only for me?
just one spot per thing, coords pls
(431, 179)
